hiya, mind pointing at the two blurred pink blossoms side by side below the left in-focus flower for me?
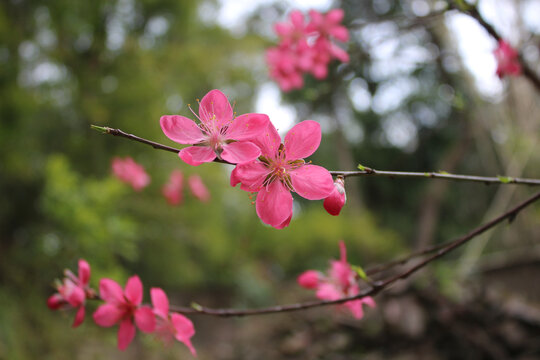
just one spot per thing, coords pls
(172, 190)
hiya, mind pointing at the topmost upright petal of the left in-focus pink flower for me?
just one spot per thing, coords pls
(215, 107)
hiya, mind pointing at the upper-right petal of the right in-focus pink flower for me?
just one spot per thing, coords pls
(302, 140)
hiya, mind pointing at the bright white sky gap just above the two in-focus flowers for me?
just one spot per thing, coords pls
(269, 102)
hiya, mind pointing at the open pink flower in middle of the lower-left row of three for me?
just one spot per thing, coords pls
(123, 306)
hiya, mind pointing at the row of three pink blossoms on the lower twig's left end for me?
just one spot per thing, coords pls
(123, 307)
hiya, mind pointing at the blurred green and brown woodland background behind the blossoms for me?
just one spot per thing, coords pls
(405, 102)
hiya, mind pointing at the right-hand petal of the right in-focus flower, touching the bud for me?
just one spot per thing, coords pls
(312, 182)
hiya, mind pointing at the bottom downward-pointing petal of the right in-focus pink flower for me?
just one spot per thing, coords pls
(274, 204)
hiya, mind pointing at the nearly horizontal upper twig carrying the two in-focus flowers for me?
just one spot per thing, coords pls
(366, 171)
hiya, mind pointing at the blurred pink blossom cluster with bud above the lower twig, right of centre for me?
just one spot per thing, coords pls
(341, 281)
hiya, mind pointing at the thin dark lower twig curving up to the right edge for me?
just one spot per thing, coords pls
(376, 287)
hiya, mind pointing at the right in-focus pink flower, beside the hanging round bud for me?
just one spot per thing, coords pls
(282, 169)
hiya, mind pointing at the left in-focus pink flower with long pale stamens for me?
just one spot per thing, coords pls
(218, 134)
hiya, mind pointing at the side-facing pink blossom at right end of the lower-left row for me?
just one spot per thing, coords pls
(171, 325)
